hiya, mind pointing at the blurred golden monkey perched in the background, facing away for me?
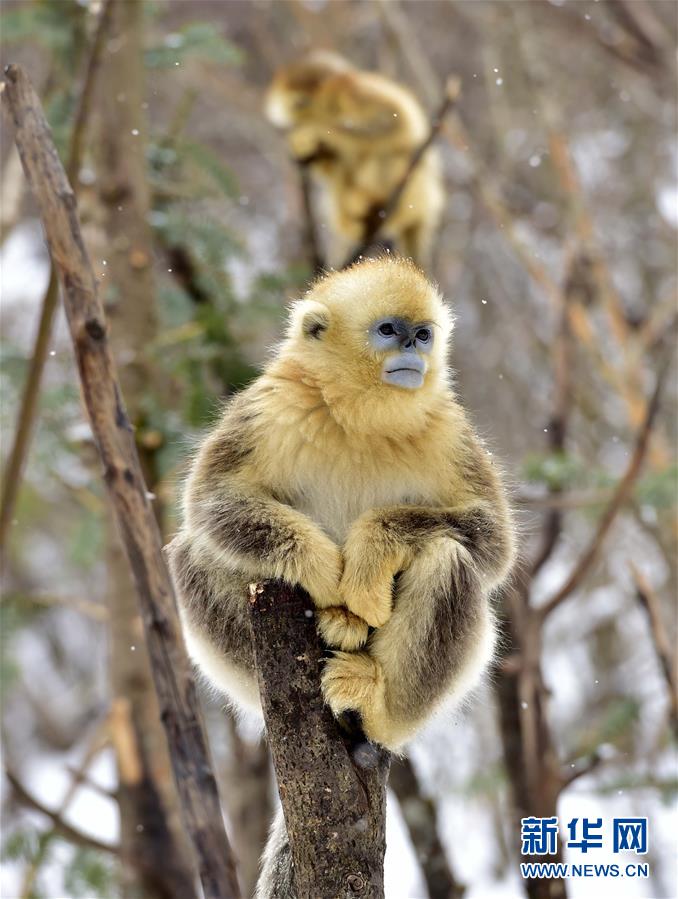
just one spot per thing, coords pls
(359, 130)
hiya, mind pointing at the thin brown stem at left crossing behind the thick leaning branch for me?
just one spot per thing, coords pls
(29, 400)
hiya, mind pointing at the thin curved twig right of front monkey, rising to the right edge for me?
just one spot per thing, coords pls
(618, 499)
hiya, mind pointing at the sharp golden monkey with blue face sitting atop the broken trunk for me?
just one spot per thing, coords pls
(348, 467)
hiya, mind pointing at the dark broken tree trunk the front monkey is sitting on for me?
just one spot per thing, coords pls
(332, 784)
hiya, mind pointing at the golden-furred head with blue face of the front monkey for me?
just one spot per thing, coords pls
(375, 334)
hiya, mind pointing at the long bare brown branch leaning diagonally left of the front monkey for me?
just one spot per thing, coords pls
(127, 490)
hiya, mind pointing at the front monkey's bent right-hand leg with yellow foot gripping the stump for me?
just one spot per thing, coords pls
(436, 644)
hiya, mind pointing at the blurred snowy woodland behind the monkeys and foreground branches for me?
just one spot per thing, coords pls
(557, 251)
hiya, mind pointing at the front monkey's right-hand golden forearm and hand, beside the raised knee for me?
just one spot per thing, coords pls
(372, 559)
